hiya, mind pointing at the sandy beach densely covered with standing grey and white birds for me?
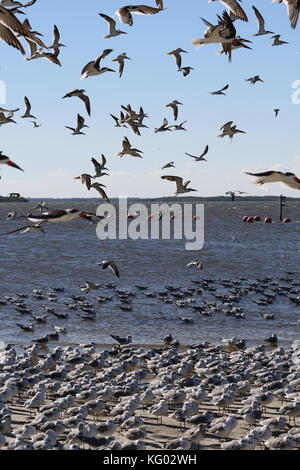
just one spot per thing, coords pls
(210, 397)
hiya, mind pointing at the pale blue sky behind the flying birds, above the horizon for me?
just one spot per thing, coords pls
(51, 157)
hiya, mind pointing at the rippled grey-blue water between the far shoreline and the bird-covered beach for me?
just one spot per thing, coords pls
(68, 253)
